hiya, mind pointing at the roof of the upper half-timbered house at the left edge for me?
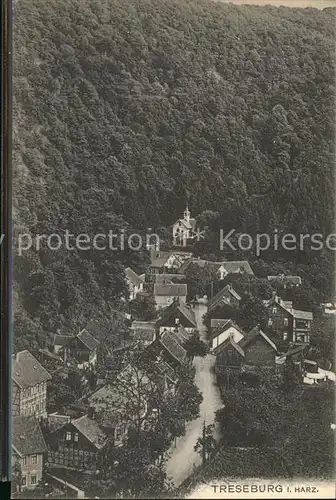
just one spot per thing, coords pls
(27, 371)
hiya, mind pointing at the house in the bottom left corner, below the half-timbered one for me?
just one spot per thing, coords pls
(29, 450)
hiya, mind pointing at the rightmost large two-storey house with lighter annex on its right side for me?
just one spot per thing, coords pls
(291, 324)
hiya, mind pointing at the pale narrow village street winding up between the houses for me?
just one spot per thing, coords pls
(183, 458)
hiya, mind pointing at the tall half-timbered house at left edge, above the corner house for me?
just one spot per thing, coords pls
(29, 389)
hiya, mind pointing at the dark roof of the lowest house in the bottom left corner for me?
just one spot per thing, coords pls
(27, 436)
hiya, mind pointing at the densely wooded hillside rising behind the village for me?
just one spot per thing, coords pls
(123, 110)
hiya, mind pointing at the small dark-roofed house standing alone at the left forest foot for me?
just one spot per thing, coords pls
(81, 348)
